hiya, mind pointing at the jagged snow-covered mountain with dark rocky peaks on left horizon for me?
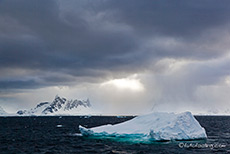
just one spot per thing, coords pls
(60, 106)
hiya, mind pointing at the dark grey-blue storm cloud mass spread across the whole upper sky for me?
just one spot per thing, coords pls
(99, 38)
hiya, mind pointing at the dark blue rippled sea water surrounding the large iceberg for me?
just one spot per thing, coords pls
(58, 135)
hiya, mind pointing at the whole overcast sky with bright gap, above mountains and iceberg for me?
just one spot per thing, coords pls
(126, 56)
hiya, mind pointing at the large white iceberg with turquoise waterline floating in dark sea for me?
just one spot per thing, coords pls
(152, 127)
